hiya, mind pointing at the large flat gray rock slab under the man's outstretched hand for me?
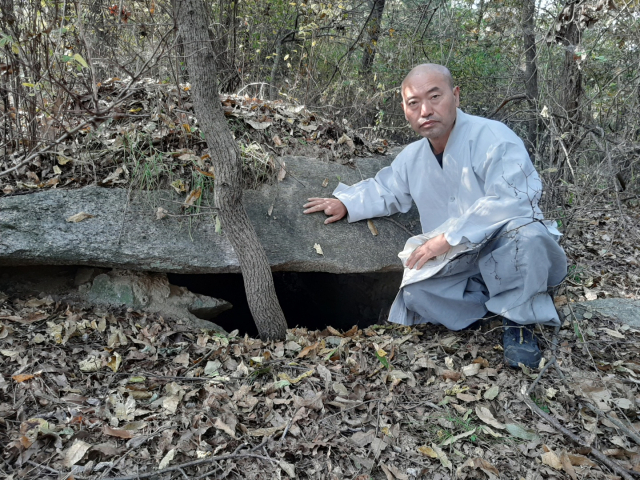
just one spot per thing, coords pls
(125, 233)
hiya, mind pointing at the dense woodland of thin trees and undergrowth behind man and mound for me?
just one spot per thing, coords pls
(565, 76)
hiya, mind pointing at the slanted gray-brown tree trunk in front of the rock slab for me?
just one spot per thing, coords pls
(258, 280)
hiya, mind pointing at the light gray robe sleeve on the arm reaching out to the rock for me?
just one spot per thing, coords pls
(385, 194)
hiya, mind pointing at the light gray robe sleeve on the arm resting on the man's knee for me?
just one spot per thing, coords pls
(512, 189)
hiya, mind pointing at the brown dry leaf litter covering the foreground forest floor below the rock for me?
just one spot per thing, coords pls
(86, 393)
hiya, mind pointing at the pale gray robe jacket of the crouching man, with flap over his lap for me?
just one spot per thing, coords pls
(486, 180)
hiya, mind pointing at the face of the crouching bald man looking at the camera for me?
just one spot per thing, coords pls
(429, 105)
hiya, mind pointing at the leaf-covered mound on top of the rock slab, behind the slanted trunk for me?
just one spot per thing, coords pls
(152, 140)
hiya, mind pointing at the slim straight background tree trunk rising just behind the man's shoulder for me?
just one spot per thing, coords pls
(531, 70)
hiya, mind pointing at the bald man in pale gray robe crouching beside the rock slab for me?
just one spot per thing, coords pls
(486, 249)
